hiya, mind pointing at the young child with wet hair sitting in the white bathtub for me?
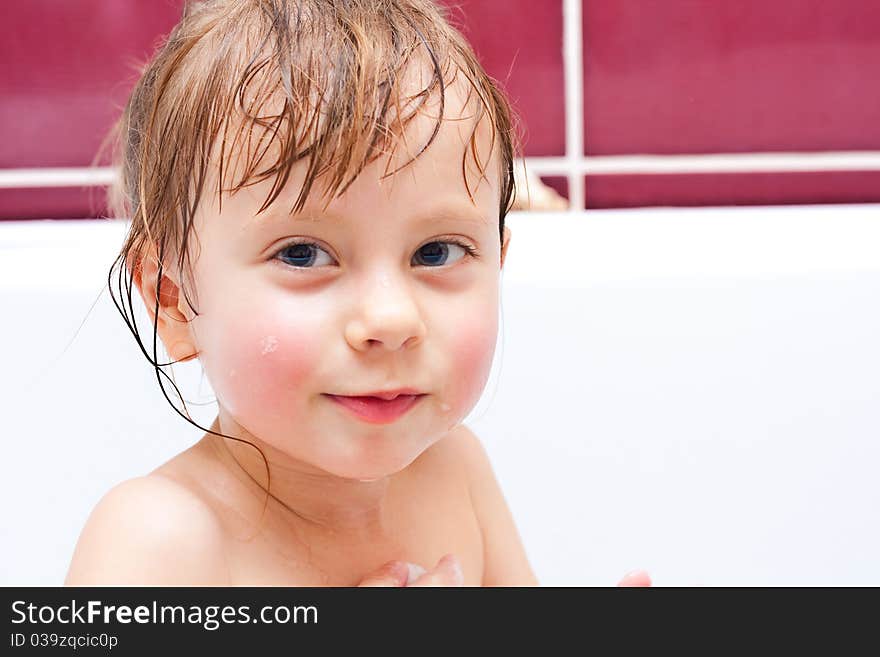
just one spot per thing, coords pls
(317, 191)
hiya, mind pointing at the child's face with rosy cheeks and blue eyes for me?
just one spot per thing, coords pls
(394, 285)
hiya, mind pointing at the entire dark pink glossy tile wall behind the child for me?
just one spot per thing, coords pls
(670, 76)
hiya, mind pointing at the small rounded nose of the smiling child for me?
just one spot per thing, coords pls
(387, 316)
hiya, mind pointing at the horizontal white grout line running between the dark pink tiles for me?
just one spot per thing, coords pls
(574, 168)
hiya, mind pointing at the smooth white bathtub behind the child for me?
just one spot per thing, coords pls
(694, 392)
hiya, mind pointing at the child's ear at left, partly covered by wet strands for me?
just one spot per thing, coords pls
(171, 321)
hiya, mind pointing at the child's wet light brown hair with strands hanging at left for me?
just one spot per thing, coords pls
(243, 90)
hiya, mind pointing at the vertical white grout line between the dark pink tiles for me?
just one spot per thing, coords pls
(572, 61)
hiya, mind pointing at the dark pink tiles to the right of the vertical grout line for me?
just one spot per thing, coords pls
(698, 76)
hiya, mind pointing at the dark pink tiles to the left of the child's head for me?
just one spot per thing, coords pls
(67, 68)
